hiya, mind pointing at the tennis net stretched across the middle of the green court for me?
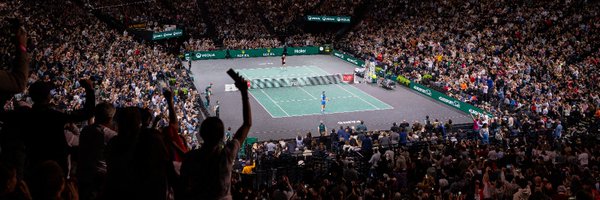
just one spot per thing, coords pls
(298, 81)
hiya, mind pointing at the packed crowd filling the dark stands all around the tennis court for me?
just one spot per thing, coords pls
(532, 65)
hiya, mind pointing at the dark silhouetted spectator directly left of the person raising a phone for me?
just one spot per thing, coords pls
(129, 155)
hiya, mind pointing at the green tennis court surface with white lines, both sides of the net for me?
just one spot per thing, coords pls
(305, 100)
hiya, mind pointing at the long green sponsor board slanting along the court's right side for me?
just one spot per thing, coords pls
(452, 102)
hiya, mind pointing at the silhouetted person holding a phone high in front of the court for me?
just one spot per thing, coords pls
(206, 172)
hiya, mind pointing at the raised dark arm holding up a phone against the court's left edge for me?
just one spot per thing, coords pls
(242, 85)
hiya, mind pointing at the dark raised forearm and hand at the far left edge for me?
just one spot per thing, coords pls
(15, 80)
